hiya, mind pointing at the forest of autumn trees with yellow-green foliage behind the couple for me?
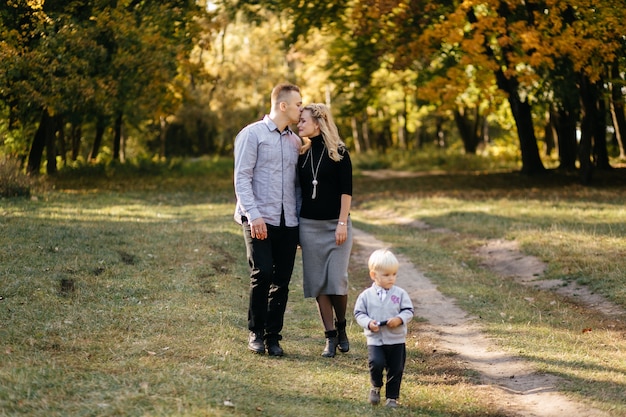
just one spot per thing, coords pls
(538, 84)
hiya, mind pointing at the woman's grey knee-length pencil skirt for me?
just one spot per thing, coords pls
(324, 264)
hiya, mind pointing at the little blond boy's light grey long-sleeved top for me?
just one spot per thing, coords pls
(369, 307)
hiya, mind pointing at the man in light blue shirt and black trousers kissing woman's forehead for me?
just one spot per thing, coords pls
(267, 190)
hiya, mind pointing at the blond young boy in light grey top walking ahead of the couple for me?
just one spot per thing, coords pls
(384, 310)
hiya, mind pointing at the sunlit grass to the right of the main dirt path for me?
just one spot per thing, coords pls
(578, 232)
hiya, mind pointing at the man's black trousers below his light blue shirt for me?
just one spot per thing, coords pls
(271, 264)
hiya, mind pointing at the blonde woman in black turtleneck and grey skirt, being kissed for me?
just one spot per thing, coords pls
(325, 173)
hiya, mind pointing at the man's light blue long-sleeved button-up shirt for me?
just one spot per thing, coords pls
(265, 173)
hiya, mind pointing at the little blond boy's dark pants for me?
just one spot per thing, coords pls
(390, 358)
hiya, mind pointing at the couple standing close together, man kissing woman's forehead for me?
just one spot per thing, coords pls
(294, 191)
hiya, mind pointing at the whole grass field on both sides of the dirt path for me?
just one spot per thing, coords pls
(126, 295)
